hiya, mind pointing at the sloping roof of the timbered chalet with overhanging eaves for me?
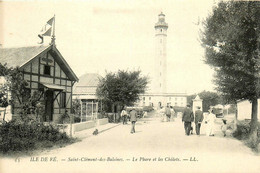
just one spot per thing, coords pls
(18, 57)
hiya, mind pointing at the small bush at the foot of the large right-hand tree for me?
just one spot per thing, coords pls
(243, 131)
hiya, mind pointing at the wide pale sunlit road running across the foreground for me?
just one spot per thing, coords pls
(155, 147)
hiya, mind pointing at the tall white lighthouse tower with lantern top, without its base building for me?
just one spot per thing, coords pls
(160, 70)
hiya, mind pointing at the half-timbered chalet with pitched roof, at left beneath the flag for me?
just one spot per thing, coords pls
(45, 70)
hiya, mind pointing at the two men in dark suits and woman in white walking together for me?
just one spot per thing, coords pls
(188, 118)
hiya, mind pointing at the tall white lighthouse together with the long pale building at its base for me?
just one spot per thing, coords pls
(158, 95)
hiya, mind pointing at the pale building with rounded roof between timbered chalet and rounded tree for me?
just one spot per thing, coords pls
(85, 92)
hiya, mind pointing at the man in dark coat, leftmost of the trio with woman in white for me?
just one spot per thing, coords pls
(187, 118)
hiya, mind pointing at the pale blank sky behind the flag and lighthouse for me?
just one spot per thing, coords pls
(102, 36)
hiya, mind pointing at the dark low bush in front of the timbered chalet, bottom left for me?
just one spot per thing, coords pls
(17, 136)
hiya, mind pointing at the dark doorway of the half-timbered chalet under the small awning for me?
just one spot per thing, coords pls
(49, 106)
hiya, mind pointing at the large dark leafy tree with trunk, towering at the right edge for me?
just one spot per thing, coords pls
(231, 40)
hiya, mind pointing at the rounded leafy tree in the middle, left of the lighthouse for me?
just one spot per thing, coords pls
(121, 88)
